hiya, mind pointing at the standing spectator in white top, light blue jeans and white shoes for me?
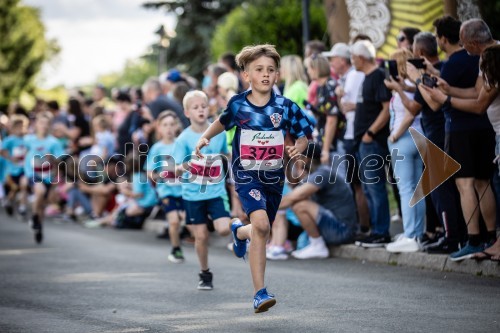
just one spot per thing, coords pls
(407, 171)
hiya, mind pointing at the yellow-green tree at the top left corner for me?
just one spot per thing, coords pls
(23, 49)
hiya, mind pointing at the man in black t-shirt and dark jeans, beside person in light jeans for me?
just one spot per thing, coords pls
(371, 131)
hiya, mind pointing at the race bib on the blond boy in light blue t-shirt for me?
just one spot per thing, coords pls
(206, 171)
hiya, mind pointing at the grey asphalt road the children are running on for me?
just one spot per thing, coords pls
(84, 280)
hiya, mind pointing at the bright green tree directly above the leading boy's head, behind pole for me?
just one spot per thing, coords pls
(277, 22)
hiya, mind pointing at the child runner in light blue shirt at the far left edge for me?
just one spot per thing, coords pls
(14, 151)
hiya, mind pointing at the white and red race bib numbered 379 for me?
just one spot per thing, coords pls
(261, 150)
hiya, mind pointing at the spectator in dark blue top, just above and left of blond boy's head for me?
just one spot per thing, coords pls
(157, 102)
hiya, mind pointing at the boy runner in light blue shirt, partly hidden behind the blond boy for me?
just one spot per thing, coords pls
(160, 167)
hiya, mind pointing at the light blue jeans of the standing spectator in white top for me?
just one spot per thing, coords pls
(407, 173)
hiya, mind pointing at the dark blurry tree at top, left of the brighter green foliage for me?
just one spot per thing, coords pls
(197, 20)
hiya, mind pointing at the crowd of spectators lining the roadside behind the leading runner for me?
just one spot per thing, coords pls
(338, 192)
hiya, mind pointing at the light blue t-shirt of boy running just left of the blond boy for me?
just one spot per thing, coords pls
(161, 161)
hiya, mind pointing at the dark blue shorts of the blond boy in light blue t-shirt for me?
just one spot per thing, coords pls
(197, 212)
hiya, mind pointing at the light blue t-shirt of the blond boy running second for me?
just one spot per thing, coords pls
(184, 148)
